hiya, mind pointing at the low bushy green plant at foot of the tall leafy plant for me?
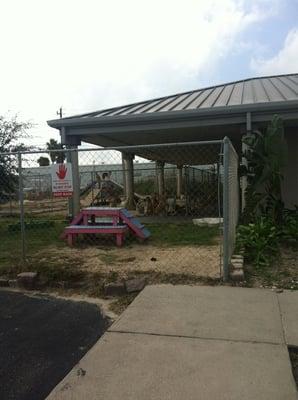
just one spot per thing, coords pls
(259, 240)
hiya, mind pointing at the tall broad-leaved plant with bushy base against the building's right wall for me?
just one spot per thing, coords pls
(268, 223)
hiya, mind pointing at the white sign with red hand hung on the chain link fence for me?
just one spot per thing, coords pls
(62, 180)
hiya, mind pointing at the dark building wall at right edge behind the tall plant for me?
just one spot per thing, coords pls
(290, 184)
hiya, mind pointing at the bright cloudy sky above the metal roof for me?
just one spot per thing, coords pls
(94, 54)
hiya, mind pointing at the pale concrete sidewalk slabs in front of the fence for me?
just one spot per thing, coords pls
(190, 343)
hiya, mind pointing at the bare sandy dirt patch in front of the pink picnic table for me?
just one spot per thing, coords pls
(190, 260)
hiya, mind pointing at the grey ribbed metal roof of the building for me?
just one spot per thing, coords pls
(253, 91)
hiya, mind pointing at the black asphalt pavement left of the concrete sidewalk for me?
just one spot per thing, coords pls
(41, 339)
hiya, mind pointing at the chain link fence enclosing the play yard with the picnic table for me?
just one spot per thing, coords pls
(175, 193)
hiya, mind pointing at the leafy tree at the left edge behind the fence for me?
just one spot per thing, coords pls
(12, 131)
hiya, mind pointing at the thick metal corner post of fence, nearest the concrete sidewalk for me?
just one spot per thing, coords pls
(226, 216)
